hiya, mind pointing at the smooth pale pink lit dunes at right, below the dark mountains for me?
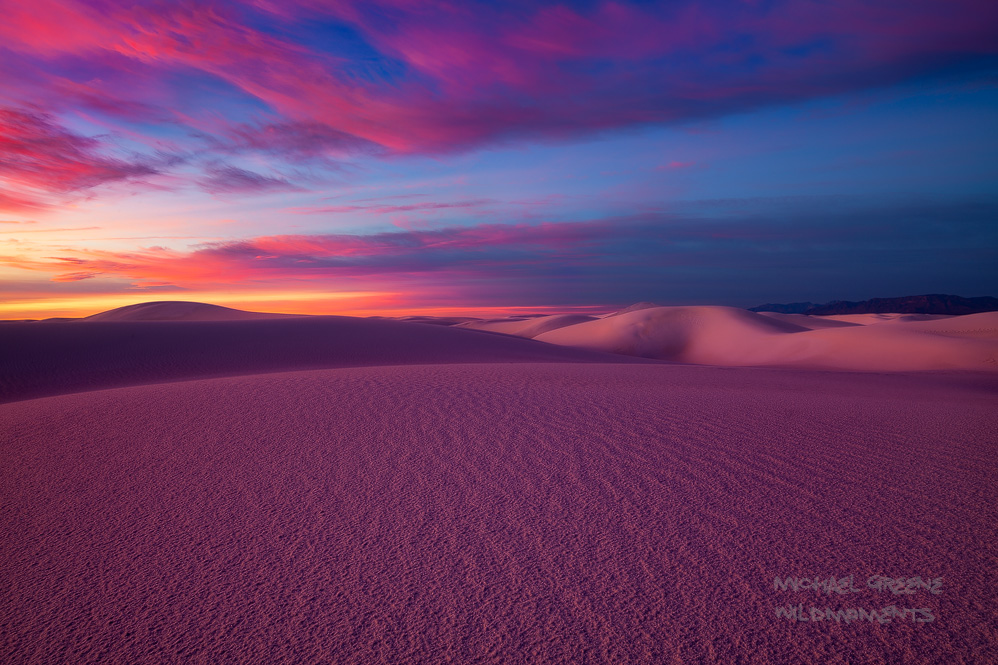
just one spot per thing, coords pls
(736, 337)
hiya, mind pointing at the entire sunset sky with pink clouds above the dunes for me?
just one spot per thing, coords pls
(403, 157)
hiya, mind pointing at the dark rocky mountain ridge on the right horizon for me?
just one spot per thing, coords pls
(936, 303)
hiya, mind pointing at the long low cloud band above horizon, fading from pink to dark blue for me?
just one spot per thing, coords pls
(695, 256)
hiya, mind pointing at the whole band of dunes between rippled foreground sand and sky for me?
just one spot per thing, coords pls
(171, 341)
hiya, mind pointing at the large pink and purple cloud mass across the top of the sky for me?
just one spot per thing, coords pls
(434, 77)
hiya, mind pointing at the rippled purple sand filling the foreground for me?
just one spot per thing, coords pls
(497, 513)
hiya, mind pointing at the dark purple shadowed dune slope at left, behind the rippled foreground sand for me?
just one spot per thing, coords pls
(50, 358)
